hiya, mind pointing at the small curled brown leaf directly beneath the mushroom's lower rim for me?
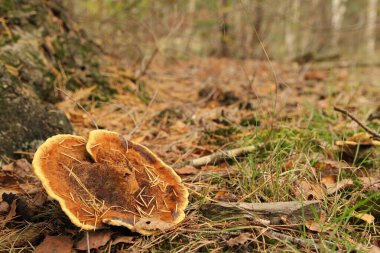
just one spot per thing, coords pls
(96, 238)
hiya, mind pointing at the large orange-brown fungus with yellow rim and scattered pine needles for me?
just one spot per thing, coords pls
(109, 180)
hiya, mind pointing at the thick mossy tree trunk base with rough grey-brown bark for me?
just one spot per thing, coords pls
(41, 50)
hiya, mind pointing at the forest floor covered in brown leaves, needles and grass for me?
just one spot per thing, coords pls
(183, 110)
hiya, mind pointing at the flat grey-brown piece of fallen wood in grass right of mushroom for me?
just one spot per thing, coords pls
(292, 212)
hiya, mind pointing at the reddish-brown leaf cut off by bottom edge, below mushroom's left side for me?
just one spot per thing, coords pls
(57, 244)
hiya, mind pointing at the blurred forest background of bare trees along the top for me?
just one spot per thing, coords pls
(288, 29)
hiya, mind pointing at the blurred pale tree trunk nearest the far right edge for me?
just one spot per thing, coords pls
(371, 26)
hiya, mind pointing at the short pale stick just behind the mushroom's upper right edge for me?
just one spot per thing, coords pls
(216, 157)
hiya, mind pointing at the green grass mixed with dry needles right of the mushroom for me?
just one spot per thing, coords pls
(262, 177)
